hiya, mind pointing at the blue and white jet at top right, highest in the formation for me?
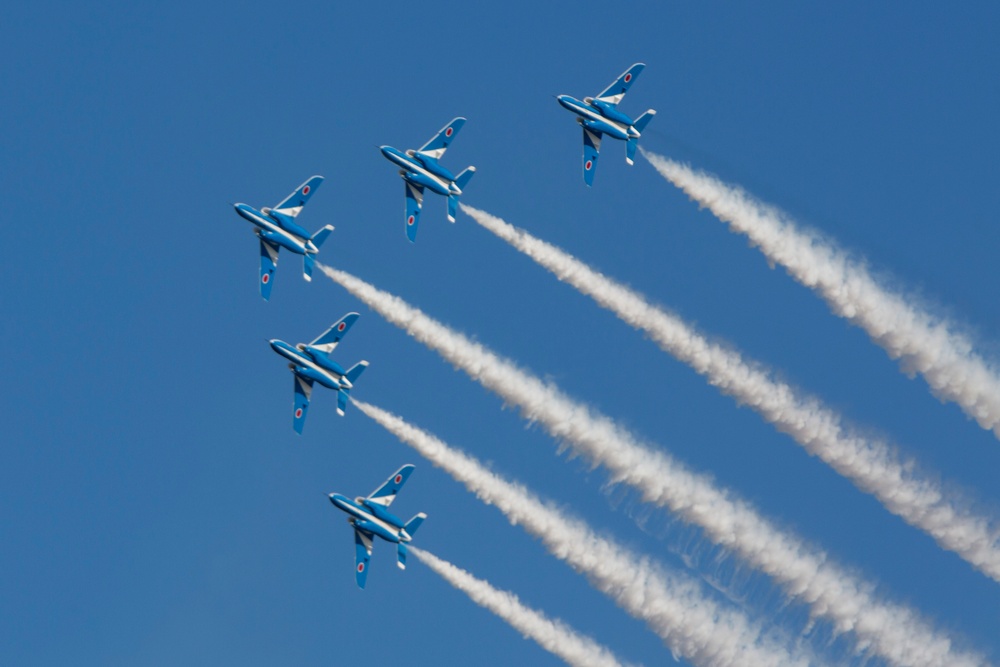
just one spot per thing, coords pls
(600, 115)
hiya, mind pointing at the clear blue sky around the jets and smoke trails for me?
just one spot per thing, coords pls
(156, 506)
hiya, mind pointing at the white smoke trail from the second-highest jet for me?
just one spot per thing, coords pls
(871, 464)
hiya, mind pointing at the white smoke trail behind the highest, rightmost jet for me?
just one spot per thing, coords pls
(922, 342)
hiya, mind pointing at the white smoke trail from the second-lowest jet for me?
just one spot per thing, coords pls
(691, 625)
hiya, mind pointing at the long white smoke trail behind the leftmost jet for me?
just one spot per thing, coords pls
(892, 631)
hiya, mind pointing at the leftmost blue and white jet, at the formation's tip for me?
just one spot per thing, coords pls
(276, 229)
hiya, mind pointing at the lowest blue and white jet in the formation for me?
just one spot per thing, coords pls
(370, 517)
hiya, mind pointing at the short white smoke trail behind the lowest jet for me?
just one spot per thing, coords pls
(551, 634)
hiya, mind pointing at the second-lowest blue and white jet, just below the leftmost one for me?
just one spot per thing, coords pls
(312, 363)
